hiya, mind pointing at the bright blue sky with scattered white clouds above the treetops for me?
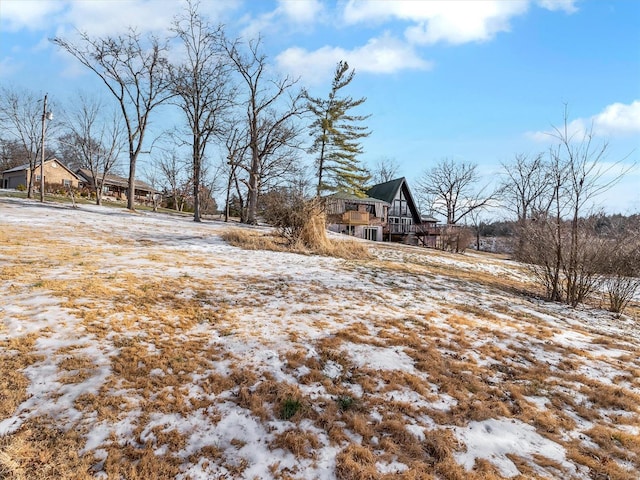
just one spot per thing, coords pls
(477, 81)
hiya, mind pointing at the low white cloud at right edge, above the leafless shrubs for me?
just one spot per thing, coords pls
(616, 120)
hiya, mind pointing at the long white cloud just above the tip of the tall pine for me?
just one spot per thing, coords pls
(380, 55)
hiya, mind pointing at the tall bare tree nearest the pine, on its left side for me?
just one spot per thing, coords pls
(272, 106)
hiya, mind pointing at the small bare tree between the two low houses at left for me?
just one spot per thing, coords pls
(95, 139)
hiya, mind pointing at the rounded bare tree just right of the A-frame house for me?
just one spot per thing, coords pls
(452, 187)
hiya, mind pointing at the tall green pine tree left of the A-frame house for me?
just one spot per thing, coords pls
(337, 136)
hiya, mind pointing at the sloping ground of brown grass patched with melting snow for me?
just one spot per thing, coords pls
(147, 331)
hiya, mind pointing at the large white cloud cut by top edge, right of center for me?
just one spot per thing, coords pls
(456, 22)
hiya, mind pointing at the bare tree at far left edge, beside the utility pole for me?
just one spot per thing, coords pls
(21, 117)
